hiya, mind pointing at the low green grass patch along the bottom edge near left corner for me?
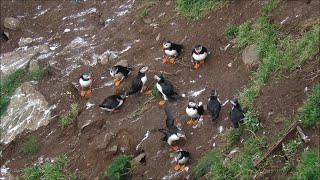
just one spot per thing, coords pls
(53, 169)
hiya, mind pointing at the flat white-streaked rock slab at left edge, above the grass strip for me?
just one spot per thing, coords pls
(20, 58)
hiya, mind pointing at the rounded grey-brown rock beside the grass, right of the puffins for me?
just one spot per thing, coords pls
(250, 57)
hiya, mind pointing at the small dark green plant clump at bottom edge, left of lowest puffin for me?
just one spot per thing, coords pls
(119, 166)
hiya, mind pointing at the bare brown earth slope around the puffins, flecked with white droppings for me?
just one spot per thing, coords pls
(87, 140)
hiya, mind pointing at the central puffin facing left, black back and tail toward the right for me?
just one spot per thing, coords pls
(166, 89)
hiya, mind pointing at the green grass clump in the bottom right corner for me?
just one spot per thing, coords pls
(309, 165)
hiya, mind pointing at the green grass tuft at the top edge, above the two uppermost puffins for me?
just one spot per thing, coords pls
(196, 8)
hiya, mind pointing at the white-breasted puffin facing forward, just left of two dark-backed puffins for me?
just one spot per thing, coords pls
(194, 111)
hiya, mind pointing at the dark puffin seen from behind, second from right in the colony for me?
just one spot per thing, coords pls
(214, 106)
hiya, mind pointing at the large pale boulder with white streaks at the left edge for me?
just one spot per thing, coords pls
(28, 109)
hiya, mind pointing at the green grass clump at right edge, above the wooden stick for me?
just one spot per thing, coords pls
(311, 108)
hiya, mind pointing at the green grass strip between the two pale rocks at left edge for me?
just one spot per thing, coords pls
(12, 81)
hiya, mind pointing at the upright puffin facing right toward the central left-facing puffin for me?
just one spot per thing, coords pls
(138, 82)
